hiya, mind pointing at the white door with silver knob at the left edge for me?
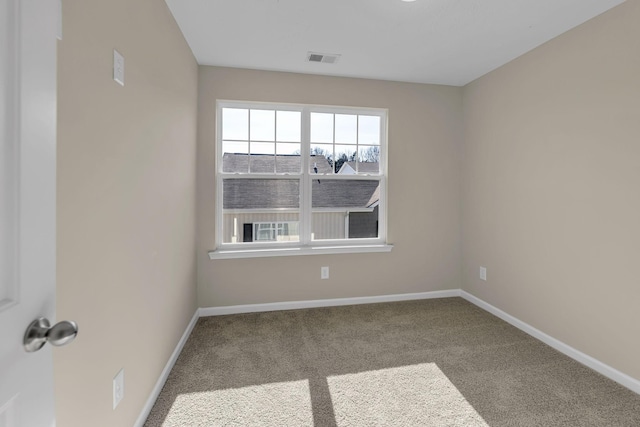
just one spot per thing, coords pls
(28, 30)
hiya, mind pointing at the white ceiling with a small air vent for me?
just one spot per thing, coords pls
(449, 42)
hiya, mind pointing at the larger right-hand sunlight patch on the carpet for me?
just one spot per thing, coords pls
(416, 395)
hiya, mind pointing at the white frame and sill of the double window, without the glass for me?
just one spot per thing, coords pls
(305, 246)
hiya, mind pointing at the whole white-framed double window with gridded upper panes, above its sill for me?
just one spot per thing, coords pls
(299, 176)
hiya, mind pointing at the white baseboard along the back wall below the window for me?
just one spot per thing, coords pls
(295, 305)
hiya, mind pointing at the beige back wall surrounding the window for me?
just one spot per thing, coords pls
(425, 133)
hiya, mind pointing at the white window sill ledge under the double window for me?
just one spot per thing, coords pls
(307, 250)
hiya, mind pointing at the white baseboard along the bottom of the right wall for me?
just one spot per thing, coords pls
(606, 370)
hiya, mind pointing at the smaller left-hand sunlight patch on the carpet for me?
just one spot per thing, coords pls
(274, 404)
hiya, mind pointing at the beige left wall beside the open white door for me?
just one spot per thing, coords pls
(126, 204)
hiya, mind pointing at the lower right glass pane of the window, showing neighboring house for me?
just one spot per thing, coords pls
(344, 209)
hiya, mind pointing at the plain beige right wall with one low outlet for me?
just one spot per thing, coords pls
(551, 195)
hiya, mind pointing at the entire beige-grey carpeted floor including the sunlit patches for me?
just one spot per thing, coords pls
(438, 362)
